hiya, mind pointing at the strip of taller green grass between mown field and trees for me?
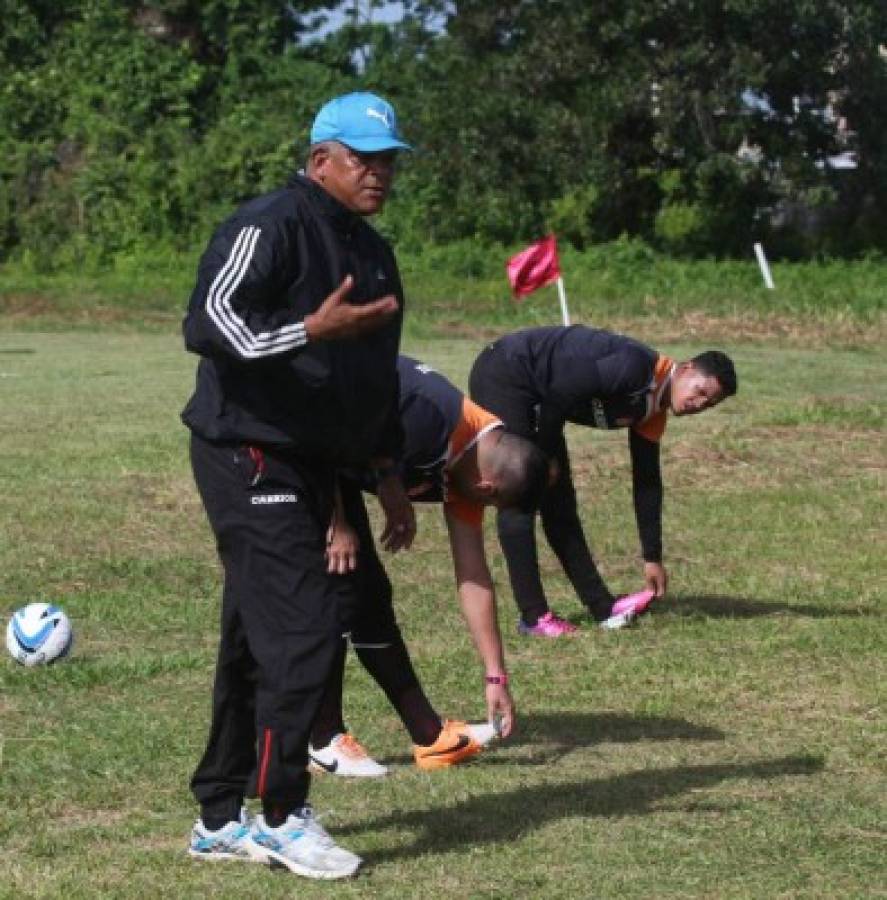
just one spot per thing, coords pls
(458, 289)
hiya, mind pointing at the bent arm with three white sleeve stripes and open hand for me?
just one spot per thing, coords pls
(240, 307)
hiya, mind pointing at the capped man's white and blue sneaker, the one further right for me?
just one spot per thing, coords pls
(302, 845)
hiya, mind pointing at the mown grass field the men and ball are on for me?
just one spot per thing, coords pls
(730, 746)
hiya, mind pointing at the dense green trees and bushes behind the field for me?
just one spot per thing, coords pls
(692, 124)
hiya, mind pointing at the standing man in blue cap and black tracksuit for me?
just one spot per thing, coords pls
(296, 316)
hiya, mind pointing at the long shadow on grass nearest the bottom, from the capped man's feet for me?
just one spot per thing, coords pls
(509, 816)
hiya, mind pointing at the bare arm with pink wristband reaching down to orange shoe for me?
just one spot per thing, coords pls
(478, 600)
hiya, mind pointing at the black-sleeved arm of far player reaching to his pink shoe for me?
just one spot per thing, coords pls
(646, 478)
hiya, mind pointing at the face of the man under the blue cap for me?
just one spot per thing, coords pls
(360, 181)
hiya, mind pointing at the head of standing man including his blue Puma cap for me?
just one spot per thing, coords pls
(354, 145)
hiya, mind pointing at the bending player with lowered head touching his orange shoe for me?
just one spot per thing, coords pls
(457, 454)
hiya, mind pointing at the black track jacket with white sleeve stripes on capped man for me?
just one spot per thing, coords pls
(266, 267)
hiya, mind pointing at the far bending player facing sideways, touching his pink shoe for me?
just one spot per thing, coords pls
(539, 379)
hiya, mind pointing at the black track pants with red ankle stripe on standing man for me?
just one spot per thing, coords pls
(283, 617)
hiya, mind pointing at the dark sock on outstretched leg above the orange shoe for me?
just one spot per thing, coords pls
(392, 670)
